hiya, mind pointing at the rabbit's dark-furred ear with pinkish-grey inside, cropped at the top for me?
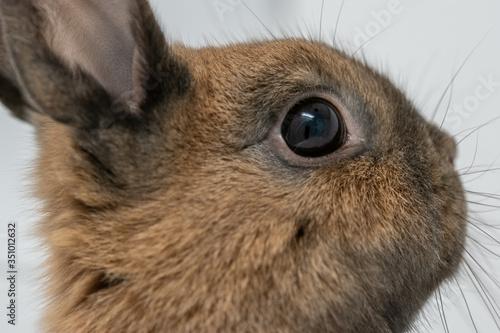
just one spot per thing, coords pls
(84, 61)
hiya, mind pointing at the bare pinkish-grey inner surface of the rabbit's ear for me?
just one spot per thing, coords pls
(96, 36)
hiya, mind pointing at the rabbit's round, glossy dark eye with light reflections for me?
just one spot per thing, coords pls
(313, 128)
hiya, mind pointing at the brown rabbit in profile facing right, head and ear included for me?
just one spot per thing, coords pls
(271, 186)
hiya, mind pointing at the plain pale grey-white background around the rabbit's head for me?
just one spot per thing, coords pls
(420, 44)
